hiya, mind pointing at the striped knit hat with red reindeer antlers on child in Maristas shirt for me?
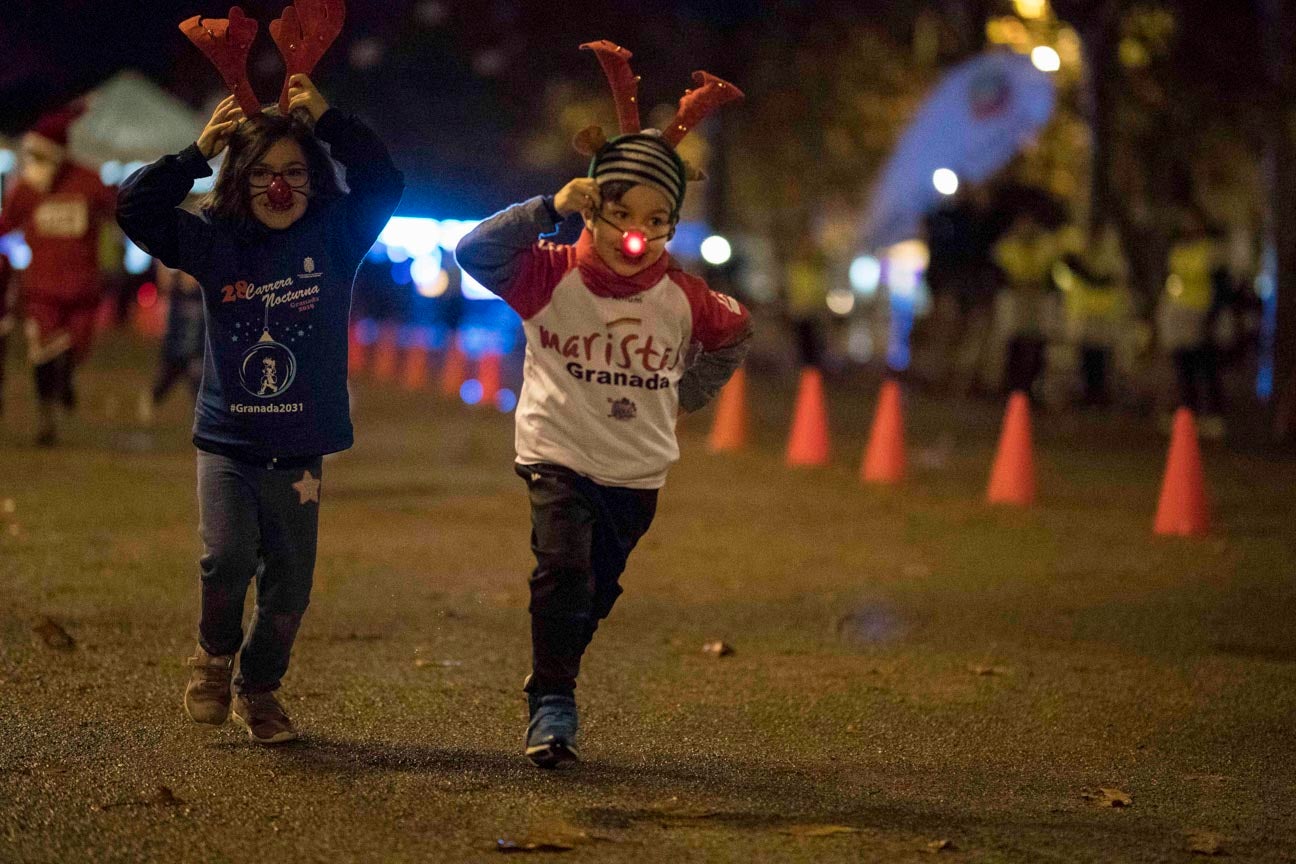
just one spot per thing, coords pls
(649, 156)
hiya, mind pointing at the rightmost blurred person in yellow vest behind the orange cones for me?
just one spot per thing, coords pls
(1197, 290)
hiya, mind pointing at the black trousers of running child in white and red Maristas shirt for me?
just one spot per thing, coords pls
(581, 534)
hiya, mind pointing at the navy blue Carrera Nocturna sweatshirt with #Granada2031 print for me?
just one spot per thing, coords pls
(277, 302)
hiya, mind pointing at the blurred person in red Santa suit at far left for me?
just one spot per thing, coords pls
(60, 208)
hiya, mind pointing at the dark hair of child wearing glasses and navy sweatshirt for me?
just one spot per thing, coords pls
(230, 200)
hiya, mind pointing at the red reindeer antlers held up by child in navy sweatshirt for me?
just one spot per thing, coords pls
(303, 34)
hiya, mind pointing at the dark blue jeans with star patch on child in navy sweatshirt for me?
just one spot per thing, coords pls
(256, 523)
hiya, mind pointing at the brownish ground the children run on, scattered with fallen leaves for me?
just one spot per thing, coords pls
(914, 674)
